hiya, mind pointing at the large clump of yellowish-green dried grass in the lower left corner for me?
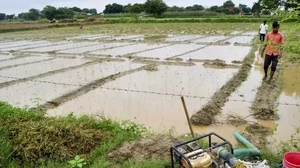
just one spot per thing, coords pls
(37, 138)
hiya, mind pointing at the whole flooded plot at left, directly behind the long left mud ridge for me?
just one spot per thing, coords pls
(39, 92)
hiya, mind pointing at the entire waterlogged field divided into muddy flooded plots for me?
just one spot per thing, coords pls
(140, 73)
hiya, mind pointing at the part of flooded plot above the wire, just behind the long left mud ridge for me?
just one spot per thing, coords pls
(90, 73)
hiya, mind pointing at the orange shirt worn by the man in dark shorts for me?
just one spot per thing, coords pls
(274, 42)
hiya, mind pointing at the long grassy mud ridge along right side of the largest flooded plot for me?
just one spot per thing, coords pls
(206, 116)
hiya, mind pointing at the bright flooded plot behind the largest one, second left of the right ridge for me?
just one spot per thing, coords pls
(169, 51)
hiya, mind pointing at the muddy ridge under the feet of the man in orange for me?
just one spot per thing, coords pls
(264, 105)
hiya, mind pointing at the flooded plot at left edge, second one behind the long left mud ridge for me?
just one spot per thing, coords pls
(39, 68)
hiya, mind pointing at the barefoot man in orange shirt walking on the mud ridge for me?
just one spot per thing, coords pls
(274, 41)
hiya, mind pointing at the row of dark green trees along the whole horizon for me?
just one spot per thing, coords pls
(153, 7)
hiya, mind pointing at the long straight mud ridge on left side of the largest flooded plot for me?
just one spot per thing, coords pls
(86, 88)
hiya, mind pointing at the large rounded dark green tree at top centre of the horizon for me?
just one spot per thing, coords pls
(155, 7)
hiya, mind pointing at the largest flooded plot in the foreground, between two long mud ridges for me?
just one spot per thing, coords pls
(160, 112)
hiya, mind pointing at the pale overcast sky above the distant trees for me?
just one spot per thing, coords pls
(18, 6)
